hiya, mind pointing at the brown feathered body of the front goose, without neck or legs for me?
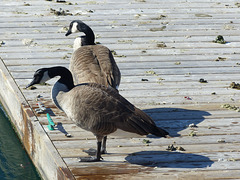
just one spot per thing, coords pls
(103, 110)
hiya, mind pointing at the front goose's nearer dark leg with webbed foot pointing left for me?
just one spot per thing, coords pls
(98, 153)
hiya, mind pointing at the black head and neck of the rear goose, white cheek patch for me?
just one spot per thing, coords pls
(79, 26)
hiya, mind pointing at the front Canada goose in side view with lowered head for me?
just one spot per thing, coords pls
(96, 108)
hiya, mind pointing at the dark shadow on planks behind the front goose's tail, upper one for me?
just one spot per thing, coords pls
(175, 120)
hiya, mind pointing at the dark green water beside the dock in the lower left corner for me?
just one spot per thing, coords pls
(14, 161)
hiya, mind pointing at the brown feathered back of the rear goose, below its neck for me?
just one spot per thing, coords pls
(95, 63)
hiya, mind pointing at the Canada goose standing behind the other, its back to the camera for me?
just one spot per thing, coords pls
(92, 62)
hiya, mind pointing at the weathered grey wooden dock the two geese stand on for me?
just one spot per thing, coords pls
(163, 49)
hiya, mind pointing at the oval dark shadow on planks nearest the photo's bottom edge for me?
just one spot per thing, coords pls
(166, 159)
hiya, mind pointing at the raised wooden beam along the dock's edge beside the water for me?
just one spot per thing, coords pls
(34, 138)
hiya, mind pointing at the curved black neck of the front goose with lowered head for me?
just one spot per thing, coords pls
(65, 76)
